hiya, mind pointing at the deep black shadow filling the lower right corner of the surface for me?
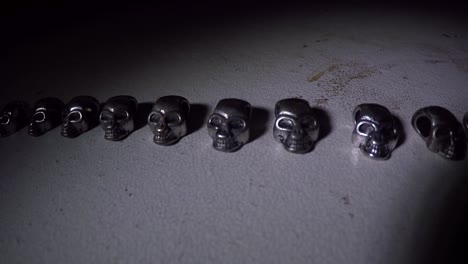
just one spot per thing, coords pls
(445, 240)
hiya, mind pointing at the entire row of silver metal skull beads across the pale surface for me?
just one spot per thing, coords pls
(376, 132)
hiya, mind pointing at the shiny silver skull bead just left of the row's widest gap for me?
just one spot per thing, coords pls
(295, 127)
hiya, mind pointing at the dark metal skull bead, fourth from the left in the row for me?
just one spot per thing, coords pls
(117, 117)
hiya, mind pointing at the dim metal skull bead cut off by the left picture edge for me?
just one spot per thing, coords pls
(13, 117)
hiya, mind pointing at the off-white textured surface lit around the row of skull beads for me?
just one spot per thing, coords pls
(87, 200)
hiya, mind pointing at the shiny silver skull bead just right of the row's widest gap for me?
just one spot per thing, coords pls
(375, 132)
